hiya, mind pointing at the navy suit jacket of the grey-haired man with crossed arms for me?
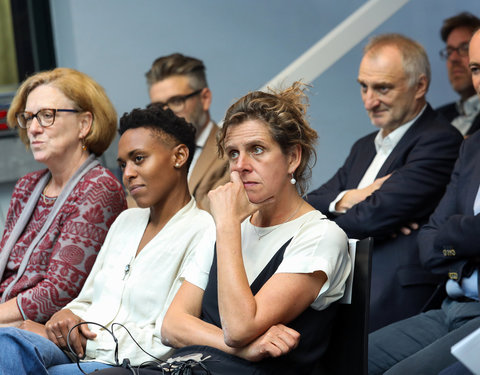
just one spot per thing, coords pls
(421, 164)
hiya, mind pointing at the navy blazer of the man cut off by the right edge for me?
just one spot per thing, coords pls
(449, 244)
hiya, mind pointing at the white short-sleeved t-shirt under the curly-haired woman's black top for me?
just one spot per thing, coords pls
(318, 244)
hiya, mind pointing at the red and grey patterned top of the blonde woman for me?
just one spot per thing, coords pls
(64, 257)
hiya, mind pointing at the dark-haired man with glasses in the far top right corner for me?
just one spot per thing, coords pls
(456, 32)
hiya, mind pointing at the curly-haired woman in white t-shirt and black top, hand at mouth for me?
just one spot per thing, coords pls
(261, 302)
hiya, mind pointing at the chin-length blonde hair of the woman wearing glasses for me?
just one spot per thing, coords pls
(87, 96)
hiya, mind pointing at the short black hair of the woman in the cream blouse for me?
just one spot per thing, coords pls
(163, 121)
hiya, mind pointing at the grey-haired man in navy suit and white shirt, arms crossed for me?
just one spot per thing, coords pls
(393, 177)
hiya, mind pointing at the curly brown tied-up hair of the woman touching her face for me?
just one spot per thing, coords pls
(284, 113)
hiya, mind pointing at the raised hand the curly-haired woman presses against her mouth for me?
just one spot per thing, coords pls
(230, 201)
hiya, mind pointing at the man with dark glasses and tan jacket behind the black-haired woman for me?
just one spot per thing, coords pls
(179, 82)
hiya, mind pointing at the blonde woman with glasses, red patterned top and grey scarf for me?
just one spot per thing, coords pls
(59, 216)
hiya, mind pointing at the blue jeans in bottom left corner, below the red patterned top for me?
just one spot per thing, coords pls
(25, 352)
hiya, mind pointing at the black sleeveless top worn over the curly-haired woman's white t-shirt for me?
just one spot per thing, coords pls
(314, 326)
